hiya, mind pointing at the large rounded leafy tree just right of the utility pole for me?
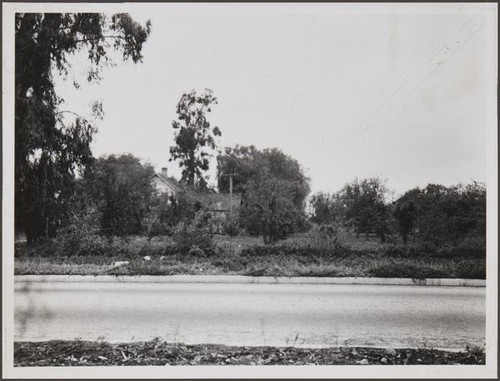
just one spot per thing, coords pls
(273, 188)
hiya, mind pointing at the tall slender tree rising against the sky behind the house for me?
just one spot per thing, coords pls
(194, 137)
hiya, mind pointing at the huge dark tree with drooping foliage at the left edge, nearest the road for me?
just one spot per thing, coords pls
(48, 149)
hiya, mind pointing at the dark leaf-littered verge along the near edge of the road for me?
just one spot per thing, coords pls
(86, 353)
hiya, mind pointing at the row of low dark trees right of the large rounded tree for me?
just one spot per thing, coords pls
(435, 214)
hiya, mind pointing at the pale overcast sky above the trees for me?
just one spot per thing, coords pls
(349, 91)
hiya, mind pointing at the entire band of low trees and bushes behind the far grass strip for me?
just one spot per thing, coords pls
(115, 198)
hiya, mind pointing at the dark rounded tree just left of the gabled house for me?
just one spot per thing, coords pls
(121, 187)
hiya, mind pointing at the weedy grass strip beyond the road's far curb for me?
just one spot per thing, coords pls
(298, 256)
